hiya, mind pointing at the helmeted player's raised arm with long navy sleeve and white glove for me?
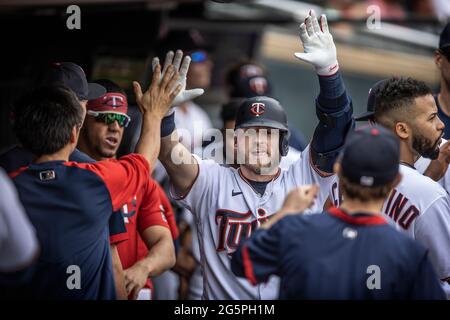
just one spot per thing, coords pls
(333, 106)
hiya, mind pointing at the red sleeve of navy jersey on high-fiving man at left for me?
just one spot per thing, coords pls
(123, 177)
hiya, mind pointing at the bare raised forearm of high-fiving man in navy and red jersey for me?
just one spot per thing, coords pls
(149, 140)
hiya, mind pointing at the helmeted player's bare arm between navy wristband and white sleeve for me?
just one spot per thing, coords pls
(179, 163)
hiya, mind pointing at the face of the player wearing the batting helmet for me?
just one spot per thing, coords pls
(258, 148)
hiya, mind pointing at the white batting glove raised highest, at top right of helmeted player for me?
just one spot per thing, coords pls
(318, 44)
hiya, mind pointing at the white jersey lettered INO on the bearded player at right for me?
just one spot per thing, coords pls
(420, 207)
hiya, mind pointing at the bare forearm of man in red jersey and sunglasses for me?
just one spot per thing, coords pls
(161, 256)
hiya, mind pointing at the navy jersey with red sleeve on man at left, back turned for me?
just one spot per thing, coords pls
(70, 204)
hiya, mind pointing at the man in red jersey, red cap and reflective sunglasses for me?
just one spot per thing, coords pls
(144, 215)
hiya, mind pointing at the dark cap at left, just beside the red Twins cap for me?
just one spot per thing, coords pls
(72, 76)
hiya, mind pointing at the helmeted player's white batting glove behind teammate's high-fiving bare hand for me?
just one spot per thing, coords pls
(184, 95)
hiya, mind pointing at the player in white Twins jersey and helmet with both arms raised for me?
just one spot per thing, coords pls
(229, 203)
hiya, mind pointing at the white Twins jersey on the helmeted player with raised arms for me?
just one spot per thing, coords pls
(227, 209)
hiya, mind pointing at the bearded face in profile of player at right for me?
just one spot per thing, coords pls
(427, 128)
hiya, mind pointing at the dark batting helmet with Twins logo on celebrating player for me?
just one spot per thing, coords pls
(261, 112)
